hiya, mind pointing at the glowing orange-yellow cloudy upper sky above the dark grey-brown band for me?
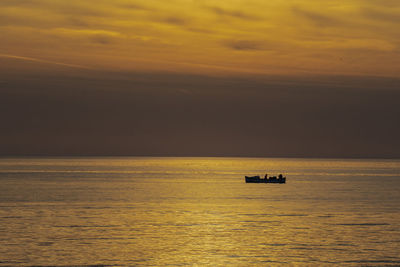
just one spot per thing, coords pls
(357, 37)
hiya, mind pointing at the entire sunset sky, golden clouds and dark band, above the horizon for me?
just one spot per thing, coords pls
(200, 78)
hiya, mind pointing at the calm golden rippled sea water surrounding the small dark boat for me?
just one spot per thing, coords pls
(198, 211)
